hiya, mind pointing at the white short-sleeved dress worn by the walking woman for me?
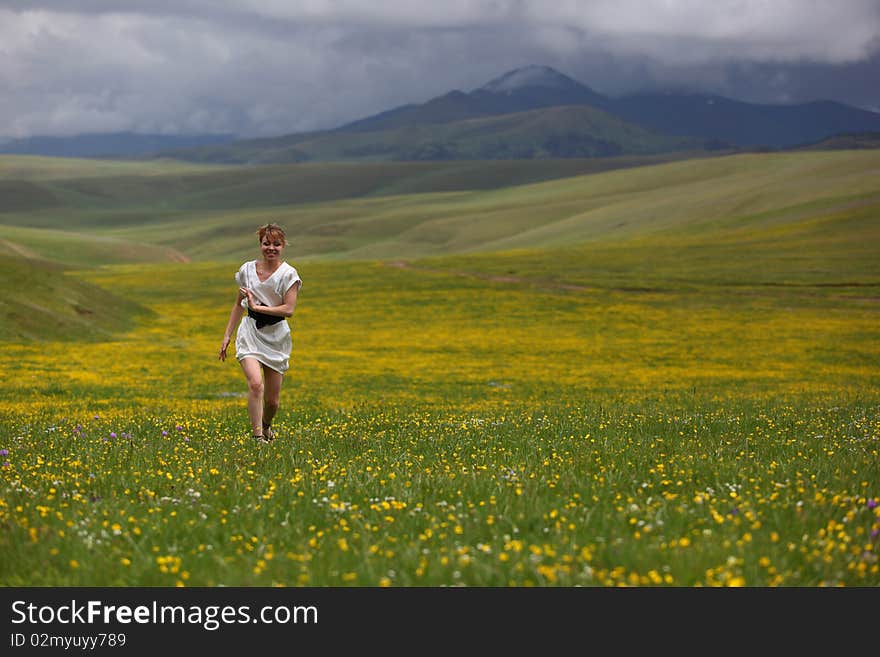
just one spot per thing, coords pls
(271, 344)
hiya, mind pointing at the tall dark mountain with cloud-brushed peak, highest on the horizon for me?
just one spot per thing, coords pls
(533, 112)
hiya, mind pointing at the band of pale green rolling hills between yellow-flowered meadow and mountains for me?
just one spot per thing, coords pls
(393, 211)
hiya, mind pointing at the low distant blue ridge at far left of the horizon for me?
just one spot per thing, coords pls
(101, 145)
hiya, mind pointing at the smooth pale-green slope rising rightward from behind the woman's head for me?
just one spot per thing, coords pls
(757, 197)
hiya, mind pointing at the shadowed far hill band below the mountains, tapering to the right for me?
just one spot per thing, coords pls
(31, 184)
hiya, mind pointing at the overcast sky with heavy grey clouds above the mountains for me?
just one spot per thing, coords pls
(271, 67)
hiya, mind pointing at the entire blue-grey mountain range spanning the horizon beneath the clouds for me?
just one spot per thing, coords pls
(530, 112)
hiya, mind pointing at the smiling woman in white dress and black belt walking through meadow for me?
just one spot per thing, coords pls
(267, 293)
